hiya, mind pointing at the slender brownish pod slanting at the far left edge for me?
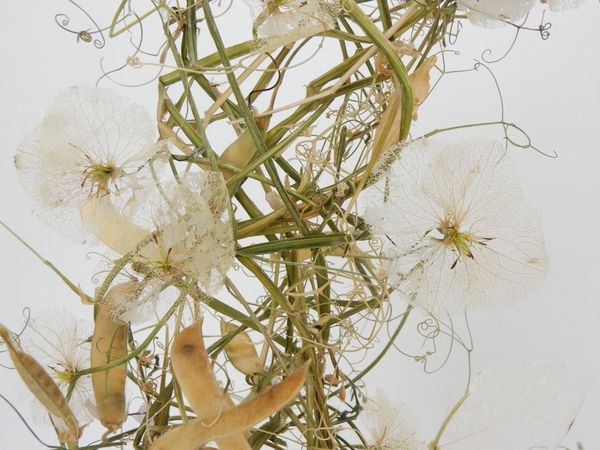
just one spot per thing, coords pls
(43, 387)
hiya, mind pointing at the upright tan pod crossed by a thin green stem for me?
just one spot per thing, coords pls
(109, 343)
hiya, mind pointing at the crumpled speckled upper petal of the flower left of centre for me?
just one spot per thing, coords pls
(194, 237)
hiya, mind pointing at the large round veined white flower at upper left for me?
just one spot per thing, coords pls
(92, 144)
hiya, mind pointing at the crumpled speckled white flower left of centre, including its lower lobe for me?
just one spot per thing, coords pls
(192, 238)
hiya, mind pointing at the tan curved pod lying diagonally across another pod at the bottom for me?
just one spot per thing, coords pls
(196, 432)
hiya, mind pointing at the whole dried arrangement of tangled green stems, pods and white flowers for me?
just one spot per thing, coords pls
(245, 288)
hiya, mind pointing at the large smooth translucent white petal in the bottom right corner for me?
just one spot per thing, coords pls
(520, 404)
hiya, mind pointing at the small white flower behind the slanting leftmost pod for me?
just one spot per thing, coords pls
(57, 340)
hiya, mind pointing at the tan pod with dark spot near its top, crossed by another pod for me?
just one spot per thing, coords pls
(196, 378)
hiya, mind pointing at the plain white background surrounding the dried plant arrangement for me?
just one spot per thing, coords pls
(550, 88)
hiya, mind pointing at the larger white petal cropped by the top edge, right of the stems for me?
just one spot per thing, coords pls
(493, 13)
